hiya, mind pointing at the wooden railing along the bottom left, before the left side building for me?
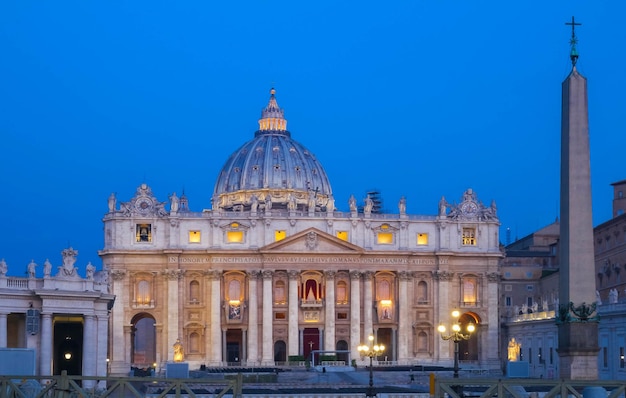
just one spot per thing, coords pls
(64, 386)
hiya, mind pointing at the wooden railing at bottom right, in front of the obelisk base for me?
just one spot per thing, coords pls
(521, 388)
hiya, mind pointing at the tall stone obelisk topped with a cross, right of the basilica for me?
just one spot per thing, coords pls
(576, 318)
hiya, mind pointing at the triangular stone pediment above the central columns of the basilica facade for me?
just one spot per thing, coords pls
(312, 240)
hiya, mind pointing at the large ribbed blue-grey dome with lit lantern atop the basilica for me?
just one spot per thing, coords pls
(272, 171)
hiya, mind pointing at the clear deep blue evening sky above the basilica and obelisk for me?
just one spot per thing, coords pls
(414, 98)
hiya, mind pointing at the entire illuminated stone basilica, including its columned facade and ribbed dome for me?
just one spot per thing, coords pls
(274, 271)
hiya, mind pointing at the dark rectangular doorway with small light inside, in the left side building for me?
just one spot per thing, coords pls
(68, 347)
